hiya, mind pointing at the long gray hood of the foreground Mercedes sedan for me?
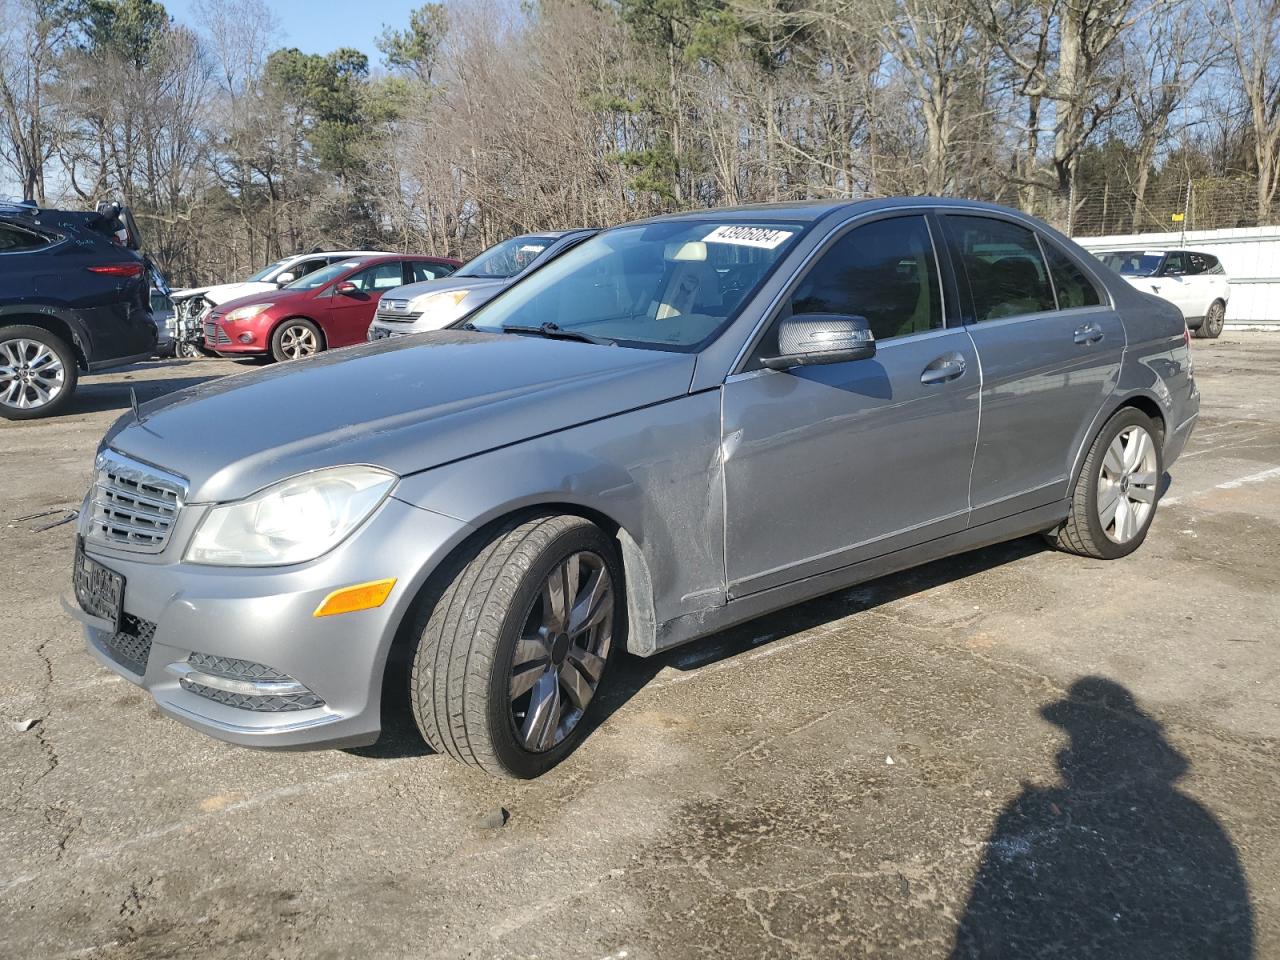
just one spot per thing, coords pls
(408, 405)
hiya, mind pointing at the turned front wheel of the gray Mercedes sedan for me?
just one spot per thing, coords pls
(513, 650)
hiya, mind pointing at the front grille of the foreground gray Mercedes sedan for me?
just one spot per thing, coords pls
(134, 505)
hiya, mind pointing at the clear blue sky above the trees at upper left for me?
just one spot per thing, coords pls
(321, 26)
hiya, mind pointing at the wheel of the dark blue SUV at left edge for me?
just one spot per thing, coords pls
(38, 373)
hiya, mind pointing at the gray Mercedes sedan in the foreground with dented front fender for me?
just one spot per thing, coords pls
(679, 426)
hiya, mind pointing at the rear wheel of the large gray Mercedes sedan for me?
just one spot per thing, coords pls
(1116, 497)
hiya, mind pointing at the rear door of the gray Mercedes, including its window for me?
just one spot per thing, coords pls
(1050, 348)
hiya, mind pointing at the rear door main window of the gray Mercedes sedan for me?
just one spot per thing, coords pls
(1007, 272)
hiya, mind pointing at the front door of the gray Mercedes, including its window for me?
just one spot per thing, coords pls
(830, 465)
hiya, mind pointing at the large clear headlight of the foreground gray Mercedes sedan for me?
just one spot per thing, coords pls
(292, 522)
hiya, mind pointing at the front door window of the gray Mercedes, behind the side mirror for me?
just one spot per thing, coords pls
(885, 272)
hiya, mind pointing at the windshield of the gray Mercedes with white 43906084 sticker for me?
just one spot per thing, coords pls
(673, 285)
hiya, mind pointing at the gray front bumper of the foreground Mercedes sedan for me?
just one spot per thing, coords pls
(266, 616)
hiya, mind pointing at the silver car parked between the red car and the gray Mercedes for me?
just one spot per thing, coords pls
(433, 305)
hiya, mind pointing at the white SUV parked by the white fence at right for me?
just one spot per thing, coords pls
(1196, 284)
